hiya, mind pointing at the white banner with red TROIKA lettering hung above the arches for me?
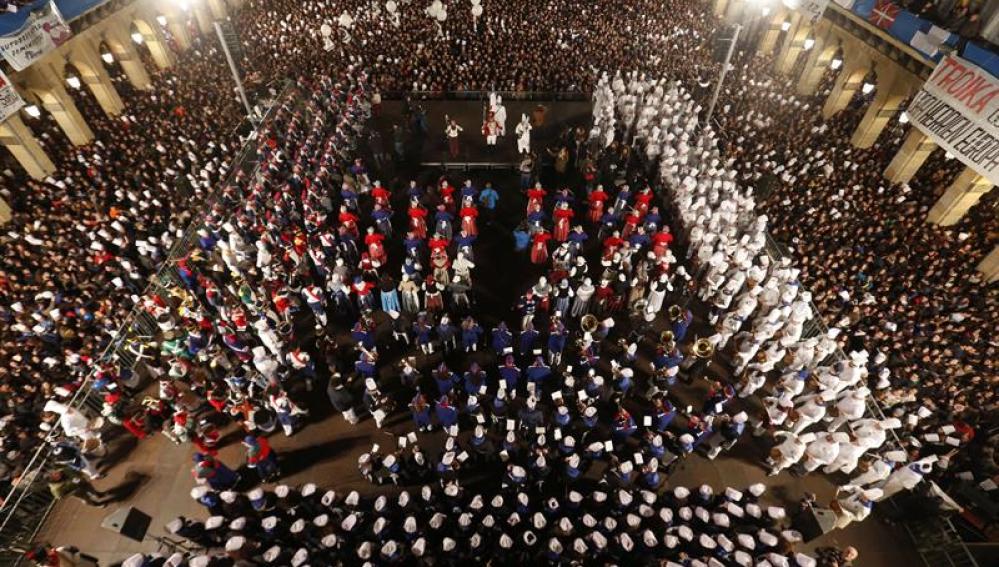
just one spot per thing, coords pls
(958, 108)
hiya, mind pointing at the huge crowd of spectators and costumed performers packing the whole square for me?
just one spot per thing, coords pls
(320, 238)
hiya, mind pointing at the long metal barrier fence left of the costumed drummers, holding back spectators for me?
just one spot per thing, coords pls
(26, 507)
